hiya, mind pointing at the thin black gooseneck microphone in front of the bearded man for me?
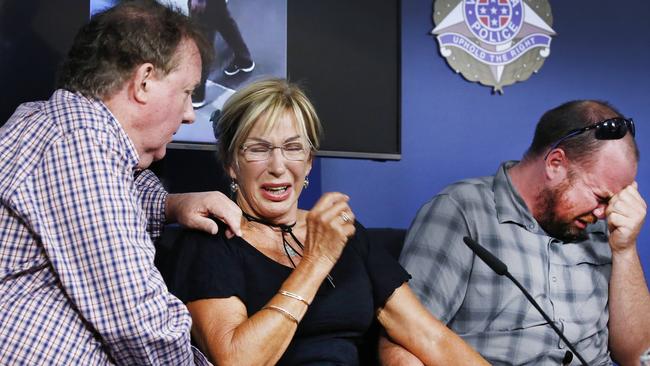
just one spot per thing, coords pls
(502, 270)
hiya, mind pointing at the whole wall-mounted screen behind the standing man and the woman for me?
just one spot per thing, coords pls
(344, 54)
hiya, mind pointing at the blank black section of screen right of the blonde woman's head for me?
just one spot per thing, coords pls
(347, 53)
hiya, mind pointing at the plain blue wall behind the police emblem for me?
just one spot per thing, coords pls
(453, 129)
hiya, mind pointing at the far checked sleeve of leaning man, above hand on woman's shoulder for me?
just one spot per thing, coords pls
(152, 197)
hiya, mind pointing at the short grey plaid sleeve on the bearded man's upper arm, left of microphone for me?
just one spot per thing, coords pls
(440, 266)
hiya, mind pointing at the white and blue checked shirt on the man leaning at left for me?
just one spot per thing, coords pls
(77, 280)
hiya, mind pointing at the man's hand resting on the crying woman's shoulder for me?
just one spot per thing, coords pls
(194, 210)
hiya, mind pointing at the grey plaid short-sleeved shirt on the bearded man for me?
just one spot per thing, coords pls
(568, 280)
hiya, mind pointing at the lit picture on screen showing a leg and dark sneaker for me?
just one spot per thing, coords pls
(249, 39)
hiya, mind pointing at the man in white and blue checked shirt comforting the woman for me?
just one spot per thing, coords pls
(78, 212)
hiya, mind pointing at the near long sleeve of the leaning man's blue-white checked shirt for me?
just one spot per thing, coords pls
(85, 209)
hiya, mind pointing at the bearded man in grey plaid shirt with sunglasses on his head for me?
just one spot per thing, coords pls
(565, 221)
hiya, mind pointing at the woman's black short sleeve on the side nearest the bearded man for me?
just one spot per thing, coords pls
(385, 273)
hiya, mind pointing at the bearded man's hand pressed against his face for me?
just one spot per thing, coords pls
(625, 215)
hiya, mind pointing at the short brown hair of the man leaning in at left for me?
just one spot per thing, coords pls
(107, 50)
